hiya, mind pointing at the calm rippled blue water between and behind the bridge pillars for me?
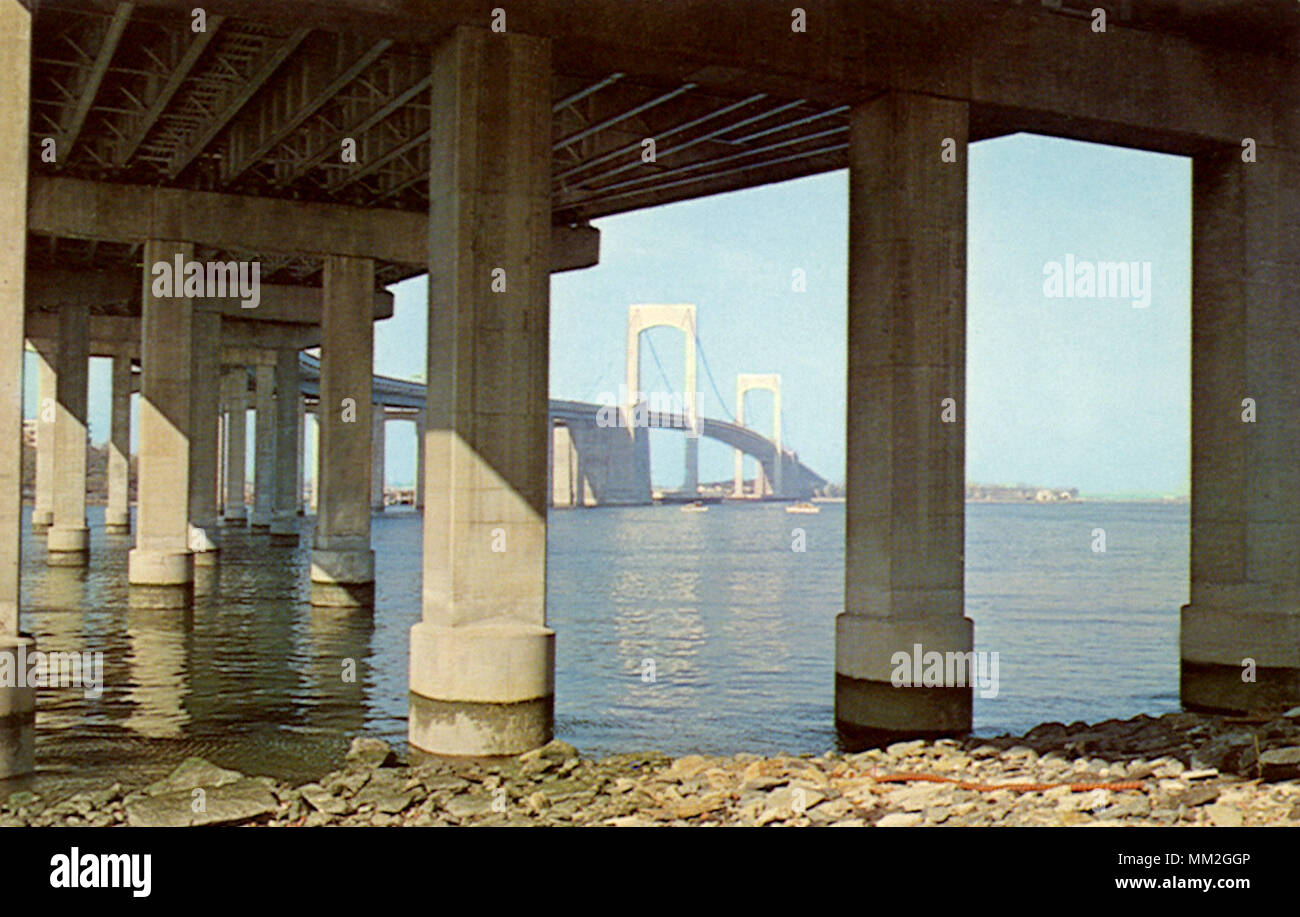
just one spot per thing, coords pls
(739, 629)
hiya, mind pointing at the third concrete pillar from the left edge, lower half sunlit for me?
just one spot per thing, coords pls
(68, 540)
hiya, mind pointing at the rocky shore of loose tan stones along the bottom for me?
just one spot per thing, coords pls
(1178, 769)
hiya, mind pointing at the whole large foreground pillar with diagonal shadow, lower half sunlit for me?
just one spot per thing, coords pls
(483, 660)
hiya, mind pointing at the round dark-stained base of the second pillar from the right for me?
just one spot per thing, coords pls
(869, 708)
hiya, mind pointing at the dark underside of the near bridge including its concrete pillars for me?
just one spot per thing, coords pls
(344, 145)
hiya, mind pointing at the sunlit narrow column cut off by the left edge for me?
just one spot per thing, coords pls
(18, 706)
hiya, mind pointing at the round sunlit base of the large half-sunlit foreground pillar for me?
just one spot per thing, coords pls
(482, 690)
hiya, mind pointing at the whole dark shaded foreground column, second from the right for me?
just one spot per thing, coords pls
(905, 508)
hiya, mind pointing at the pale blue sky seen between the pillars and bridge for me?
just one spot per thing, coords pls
(1084, 392)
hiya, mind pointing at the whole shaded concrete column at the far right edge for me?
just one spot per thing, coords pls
(1245, 611)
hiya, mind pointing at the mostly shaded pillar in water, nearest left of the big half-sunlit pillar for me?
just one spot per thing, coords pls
(343, 561)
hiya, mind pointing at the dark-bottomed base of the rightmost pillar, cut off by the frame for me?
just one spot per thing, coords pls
(1217, 647)
